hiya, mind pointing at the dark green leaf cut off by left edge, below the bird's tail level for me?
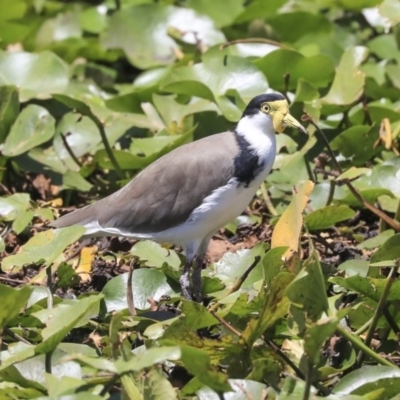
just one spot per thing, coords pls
(12, 300)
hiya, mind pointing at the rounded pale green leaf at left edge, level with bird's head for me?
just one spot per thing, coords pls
(33, 127)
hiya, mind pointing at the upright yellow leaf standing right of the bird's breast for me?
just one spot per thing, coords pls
(287, 230)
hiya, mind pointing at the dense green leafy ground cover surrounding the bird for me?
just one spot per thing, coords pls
(91, 92)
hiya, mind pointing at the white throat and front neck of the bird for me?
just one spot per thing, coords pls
(259, 131)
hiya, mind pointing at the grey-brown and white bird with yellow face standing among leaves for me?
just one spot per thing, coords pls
(187, 195)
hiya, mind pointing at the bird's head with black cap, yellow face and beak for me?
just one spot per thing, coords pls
(275, 107)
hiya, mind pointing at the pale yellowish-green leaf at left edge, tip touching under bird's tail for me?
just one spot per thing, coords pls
(43, 247)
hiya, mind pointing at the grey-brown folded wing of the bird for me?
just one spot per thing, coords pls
(166, 192)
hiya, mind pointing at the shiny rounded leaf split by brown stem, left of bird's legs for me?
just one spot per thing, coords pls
(145, 283)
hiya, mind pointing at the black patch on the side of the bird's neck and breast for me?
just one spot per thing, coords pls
(247, 163)
